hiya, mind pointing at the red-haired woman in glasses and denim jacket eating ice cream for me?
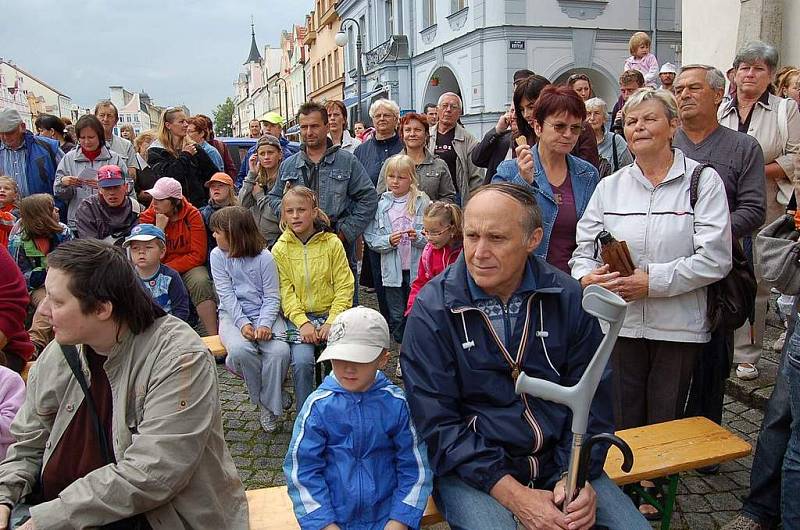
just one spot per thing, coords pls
(563, 183)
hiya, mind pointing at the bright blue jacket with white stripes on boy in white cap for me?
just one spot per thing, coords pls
(355, 459)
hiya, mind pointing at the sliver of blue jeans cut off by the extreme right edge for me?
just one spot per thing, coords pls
(790, 368)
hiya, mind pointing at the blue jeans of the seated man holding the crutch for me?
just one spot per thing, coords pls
(465, 507)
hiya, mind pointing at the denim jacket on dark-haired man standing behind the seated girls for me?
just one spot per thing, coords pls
(346, 193)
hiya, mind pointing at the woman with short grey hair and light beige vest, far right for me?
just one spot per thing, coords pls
(775, 123)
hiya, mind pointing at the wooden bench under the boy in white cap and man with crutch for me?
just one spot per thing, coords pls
(661, 450)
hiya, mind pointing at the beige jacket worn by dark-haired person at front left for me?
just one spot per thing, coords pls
(172, 461)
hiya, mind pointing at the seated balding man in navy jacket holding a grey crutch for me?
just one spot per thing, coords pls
(498, 311)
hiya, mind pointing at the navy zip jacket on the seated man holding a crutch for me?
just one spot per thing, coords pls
(460, 387)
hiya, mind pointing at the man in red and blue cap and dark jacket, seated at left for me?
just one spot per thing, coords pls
(111, 213)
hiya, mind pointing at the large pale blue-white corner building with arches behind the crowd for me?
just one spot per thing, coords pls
(415, 50)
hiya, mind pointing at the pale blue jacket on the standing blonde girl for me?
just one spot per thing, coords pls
(377, 237)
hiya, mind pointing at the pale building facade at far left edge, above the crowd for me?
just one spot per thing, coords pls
(31, 96)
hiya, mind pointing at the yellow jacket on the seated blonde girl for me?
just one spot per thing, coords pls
(315, 277)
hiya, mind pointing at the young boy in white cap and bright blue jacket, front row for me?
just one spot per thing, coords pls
(355, 460)
